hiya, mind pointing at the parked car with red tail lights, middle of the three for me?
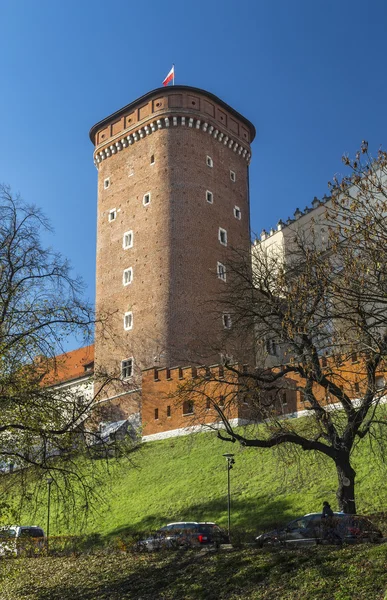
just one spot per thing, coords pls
(184, 534)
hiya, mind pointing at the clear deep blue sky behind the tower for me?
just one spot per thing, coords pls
(310, 74)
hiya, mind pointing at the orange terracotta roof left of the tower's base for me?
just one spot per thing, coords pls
(71, 365)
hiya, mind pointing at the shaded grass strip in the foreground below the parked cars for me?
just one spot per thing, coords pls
(319, 573)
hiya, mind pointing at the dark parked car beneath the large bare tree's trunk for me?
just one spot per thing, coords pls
(314, 529)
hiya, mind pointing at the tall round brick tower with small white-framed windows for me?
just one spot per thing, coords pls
(172, 200)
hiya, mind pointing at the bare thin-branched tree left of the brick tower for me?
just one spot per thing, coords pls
(42, 425)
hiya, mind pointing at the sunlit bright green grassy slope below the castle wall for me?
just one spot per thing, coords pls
(186, 479)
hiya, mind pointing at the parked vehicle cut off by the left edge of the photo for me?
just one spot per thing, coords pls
(17, 540)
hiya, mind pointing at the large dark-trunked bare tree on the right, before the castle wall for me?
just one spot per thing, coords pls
(316, 299)
